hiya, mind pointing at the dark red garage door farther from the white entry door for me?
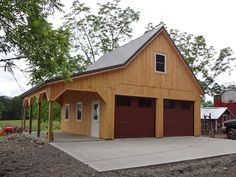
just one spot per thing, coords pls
(178, 118)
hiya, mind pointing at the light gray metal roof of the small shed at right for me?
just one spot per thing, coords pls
(215, 112)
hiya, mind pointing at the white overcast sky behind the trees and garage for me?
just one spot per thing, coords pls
(215, 20)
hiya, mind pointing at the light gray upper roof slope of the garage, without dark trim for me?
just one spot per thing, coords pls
(124, 53)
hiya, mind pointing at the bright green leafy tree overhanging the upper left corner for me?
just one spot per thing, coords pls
(25, 34)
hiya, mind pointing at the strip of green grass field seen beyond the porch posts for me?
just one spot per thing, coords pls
(56, 124)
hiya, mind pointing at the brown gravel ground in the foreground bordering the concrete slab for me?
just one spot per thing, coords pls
(23, 156)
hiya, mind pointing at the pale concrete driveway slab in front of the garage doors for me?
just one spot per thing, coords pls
(129, 153)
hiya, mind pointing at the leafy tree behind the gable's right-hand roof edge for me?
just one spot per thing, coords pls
(202, 59)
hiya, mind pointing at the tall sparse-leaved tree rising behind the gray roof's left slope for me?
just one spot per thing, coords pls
(93, 34)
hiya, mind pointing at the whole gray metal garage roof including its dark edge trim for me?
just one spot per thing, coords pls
(116, 58)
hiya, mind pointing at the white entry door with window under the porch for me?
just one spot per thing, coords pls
(95, 119)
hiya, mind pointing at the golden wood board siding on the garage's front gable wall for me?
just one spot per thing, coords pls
(138, 78)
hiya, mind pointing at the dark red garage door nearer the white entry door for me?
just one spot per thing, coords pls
(134, 117)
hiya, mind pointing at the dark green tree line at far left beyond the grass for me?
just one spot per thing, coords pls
(10, 108)
